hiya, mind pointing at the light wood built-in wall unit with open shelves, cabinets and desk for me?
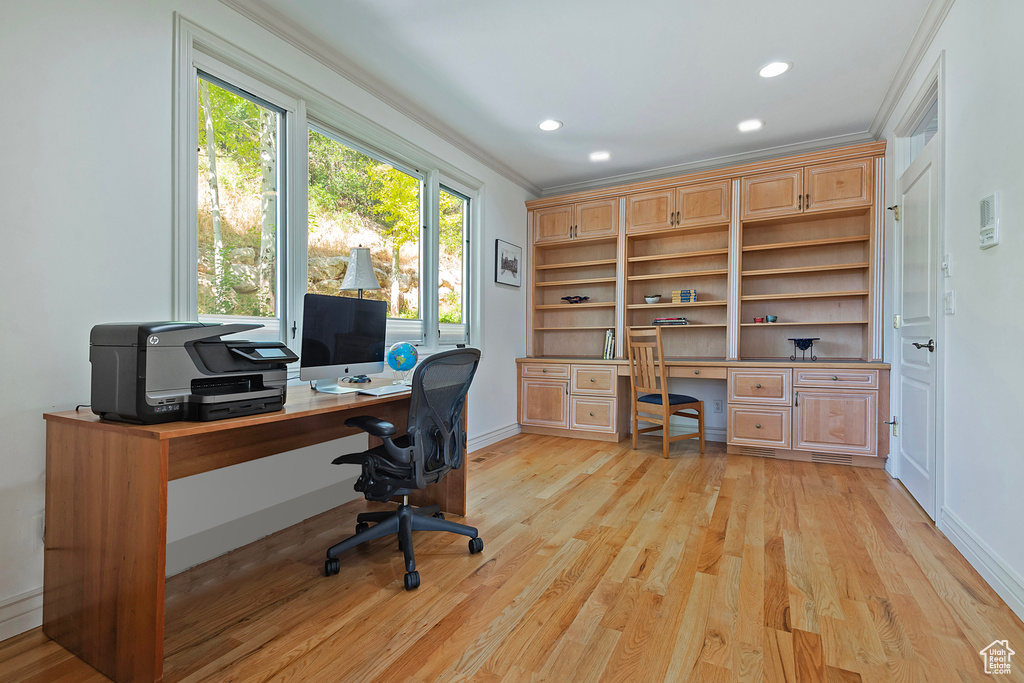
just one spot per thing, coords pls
(799, 239)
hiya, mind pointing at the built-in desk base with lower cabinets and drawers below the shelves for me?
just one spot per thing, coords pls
(824, 411)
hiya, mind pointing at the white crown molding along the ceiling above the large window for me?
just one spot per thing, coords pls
(279, 25)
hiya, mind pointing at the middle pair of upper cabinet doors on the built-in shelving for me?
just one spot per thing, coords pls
(678, 207)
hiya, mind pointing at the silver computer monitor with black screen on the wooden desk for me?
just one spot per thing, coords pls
(342, 337)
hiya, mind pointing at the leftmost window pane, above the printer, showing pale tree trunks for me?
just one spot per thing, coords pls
(238, 209)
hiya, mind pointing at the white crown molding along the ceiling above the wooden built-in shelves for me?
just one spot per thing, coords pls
(765, 154)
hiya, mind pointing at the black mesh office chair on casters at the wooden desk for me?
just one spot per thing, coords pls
(433, 446)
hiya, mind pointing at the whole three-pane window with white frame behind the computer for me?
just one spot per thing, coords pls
(275, 185)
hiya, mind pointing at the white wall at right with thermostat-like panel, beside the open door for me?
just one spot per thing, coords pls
(985, 375)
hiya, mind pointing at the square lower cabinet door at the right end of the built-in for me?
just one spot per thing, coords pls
(836, 421)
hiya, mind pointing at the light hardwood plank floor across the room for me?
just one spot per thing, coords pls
(601, 564)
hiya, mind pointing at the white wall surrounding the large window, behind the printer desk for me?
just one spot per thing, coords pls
(87, 179)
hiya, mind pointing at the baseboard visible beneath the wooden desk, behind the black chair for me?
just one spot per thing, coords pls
(204, 546)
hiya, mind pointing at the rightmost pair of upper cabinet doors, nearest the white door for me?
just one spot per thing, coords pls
(808, 190)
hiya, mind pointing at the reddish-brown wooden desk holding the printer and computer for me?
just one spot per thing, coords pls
(107, 514)
